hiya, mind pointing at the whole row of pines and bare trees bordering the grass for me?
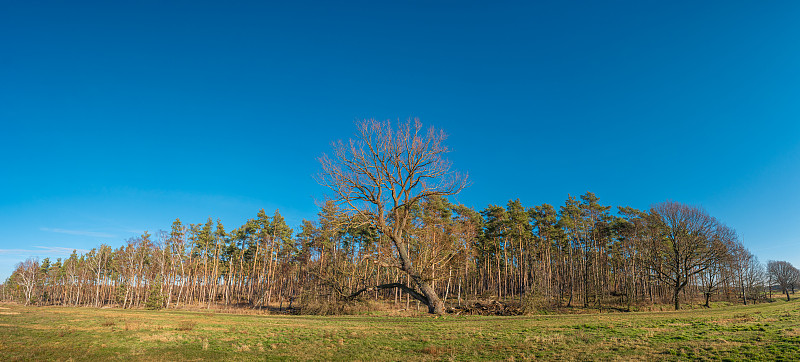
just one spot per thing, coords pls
(389, 233)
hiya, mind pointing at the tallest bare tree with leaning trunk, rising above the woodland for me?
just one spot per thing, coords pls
(381, 175)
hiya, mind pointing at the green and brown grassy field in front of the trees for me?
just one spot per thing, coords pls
(769, 331)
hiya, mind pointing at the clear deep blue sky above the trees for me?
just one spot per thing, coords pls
(118, 117)
